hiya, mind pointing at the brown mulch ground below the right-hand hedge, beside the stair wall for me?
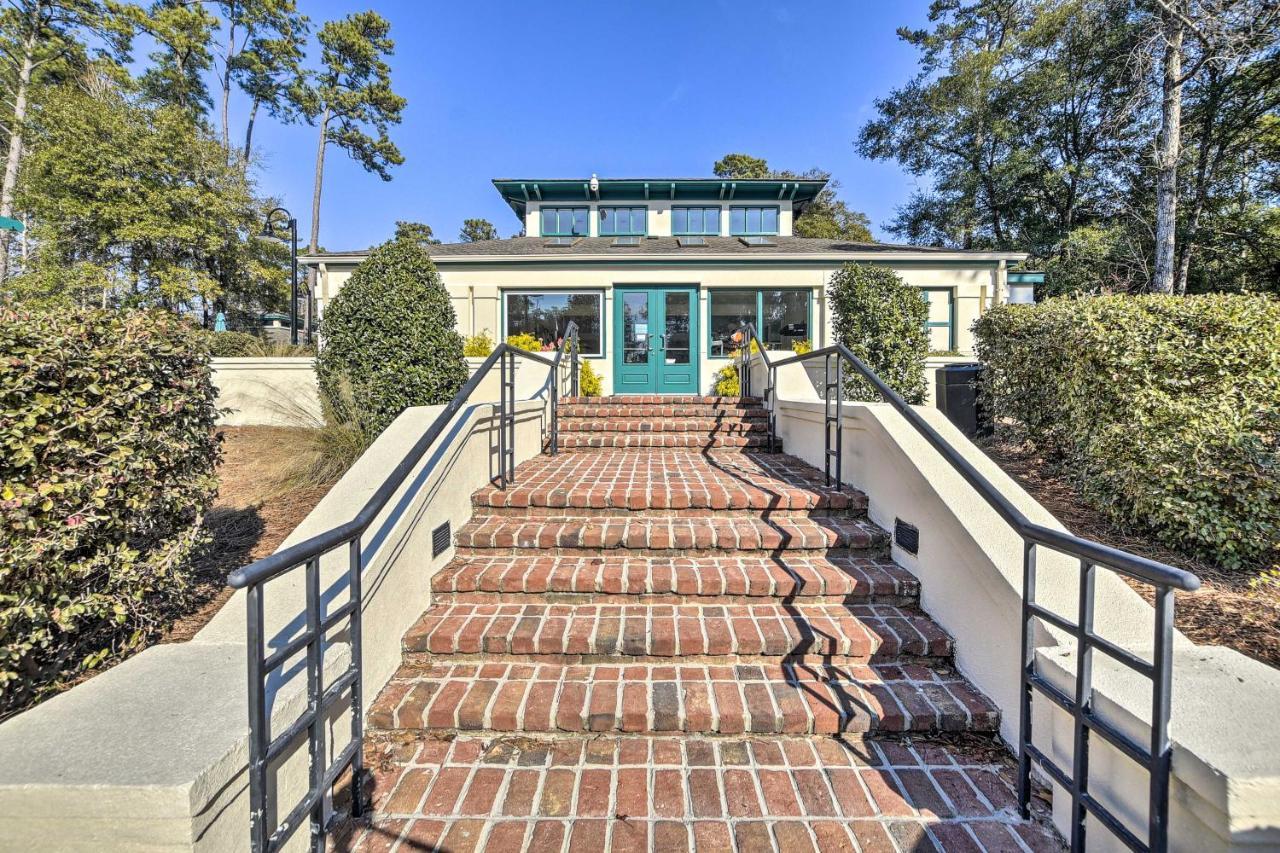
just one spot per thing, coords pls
(1224, 612)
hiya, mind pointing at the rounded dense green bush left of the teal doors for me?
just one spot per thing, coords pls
(390, 335)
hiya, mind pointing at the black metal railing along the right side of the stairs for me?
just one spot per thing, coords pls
(1155, 756)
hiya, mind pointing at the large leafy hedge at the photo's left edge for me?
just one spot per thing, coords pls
(107, 466)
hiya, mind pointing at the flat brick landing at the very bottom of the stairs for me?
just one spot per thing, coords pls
(675, 795)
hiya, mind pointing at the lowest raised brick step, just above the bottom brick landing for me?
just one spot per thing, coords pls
(691, 699)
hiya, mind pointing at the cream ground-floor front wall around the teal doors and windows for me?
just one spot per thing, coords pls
(476, 291)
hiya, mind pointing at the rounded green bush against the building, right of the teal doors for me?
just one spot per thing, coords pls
(881, 320)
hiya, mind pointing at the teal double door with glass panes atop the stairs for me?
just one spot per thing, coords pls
(656, 335)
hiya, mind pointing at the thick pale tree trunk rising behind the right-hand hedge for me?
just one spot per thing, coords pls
(1168, 153)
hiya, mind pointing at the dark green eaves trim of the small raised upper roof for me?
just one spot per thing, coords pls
(519, 193)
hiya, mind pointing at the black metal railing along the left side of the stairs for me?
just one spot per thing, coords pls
(323, 699)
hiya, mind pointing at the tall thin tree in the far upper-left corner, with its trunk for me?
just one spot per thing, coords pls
(40, 35)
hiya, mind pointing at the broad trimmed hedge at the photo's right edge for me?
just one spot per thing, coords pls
(1165, 412)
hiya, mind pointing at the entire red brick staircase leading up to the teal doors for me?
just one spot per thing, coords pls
(659, 599)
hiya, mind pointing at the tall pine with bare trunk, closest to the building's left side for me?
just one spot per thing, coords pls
(353, 102)
